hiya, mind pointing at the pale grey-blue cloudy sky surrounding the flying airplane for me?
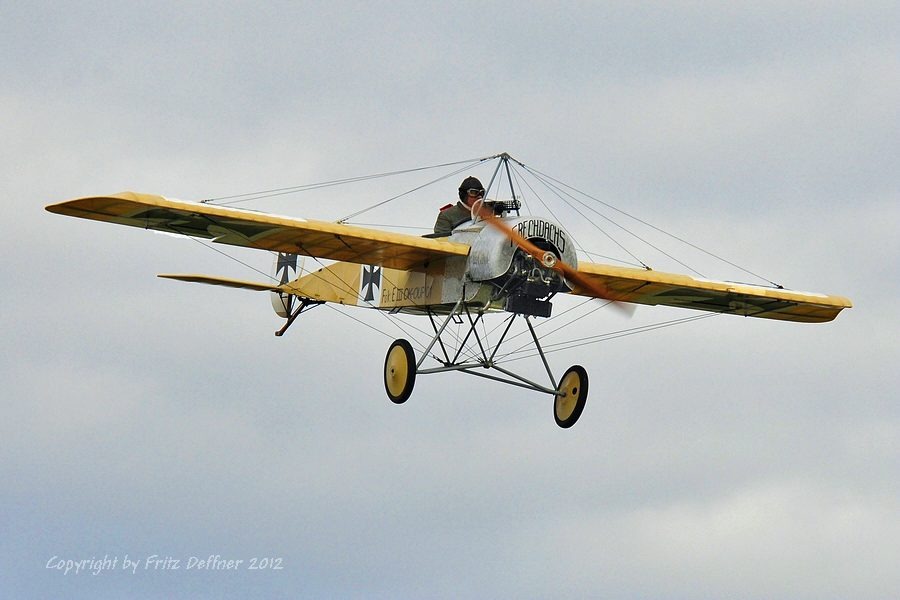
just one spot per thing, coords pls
(724, 457)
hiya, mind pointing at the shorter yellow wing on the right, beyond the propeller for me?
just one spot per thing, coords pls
(655, 288)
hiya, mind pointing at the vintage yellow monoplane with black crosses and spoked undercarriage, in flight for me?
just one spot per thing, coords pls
(499, 262)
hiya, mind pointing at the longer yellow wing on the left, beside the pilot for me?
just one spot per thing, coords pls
(260, 230)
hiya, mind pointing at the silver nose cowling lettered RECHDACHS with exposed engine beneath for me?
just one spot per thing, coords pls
(522, 283)
